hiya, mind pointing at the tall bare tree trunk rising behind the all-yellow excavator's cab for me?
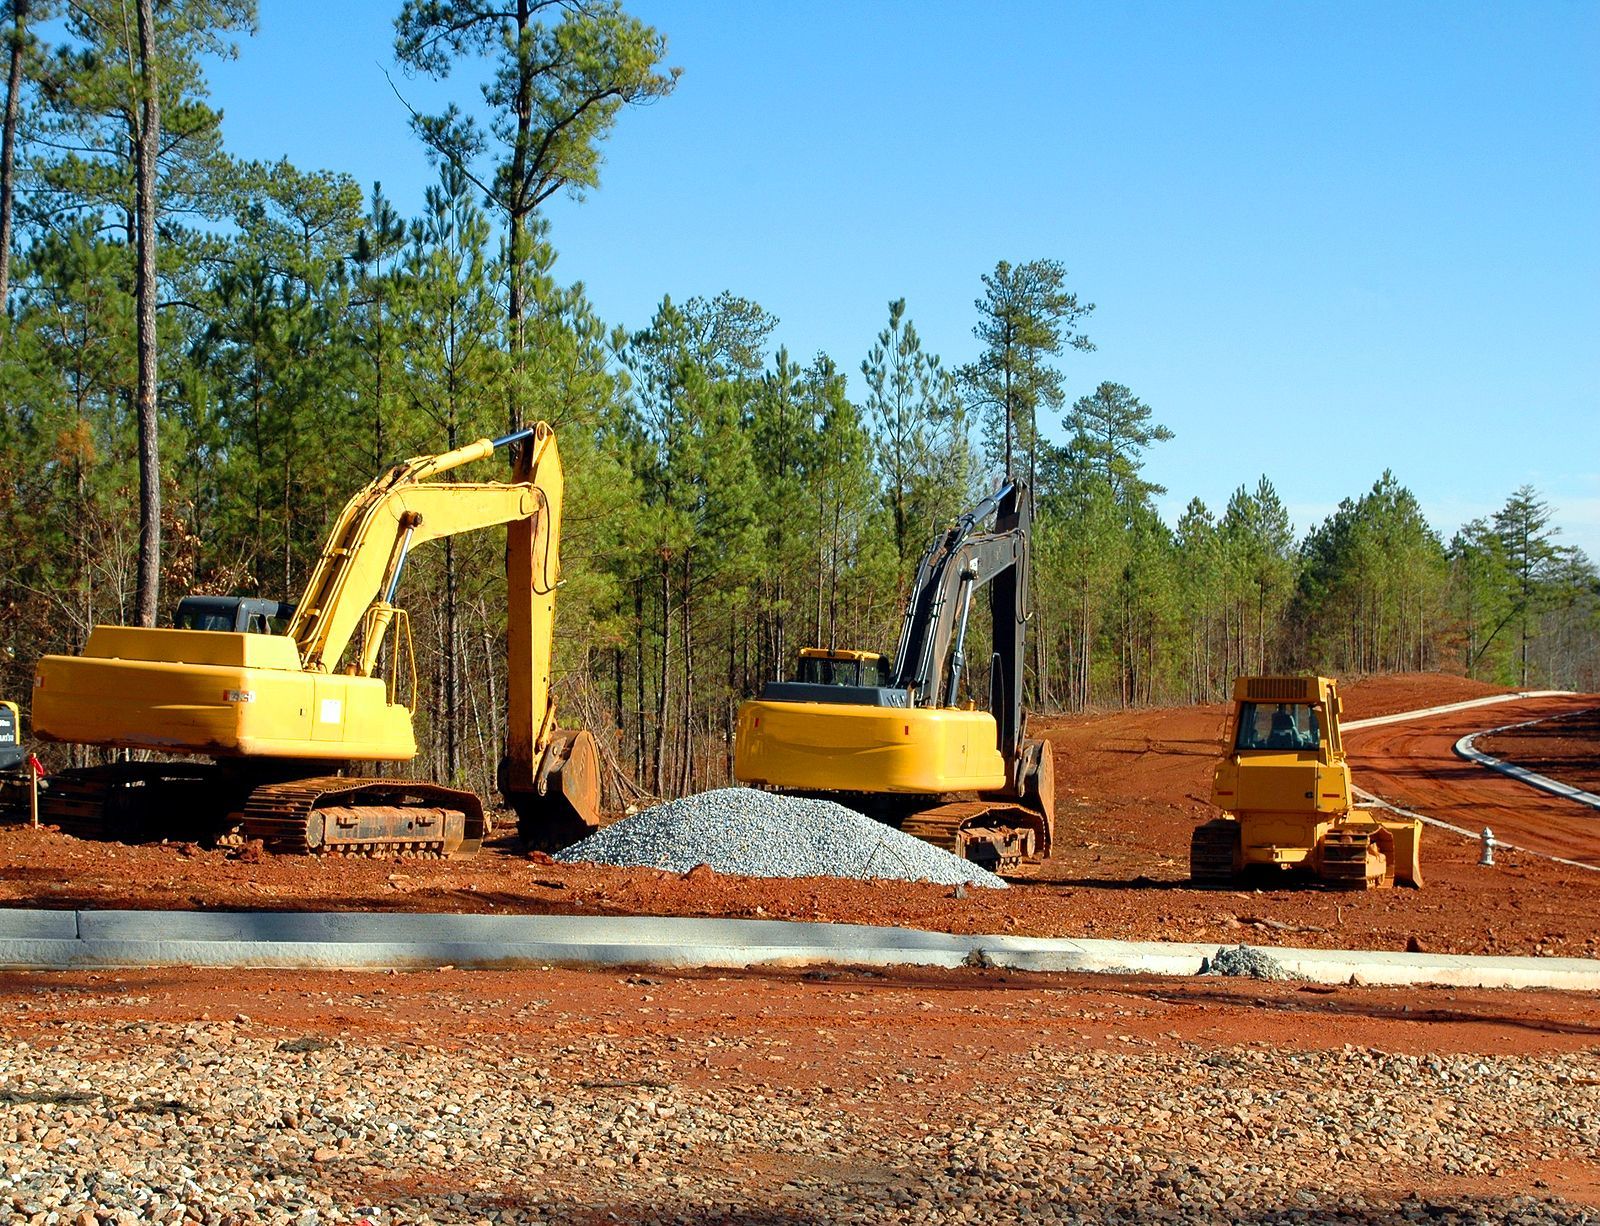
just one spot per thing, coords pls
(150, 137)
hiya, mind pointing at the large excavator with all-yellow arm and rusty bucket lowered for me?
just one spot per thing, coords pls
(263, 729)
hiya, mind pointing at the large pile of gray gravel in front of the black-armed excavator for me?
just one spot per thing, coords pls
(761, 835)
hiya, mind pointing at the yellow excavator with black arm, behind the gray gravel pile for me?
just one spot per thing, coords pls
(894, 740)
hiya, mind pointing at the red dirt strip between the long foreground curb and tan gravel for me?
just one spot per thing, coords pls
(946, 1033)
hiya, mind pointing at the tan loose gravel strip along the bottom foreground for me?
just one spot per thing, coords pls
(215, 1123)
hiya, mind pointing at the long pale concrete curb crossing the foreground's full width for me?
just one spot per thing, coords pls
(106, 940)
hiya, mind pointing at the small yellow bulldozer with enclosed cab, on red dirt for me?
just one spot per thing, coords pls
(1286, 793)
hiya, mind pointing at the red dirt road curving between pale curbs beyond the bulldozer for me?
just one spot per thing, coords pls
(1414, 764)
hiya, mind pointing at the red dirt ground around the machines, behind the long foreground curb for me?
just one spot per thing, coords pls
(1130, 788)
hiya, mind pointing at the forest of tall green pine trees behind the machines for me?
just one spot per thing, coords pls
(729, 502)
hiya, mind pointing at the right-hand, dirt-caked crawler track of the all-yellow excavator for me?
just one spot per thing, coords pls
(350, 817)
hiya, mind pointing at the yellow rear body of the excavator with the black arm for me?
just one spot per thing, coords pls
(847, 748)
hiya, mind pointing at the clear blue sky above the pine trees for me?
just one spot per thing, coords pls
(1321, 239)
